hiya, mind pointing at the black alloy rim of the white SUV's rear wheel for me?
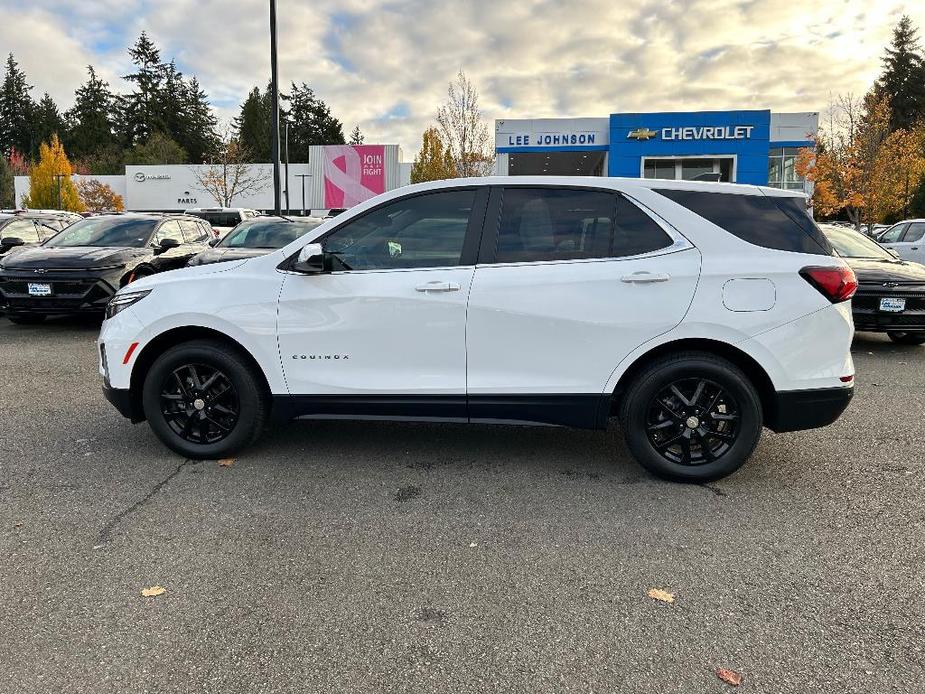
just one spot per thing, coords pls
(692, 421)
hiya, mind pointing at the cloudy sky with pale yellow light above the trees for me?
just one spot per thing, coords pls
(386, 65)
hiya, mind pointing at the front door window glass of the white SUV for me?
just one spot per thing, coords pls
(416, 232)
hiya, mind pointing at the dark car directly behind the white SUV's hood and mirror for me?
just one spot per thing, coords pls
(254, 237)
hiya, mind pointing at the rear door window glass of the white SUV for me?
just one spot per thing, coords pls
(547, 224)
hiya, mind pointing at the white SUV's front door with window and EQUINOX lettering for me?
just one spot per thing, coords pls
(387, 326)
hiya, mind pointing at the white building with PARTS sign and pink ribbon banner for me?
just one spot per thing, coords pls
(336, 176)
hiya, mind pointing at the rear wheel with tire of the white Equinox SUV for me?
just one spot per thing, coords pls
(700, 438)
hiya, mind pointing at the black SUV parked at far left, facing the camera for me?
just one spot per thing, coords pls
(80, 268)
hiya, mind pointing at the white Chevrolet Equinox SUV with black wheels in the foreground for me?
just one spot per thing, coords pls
(696, 312)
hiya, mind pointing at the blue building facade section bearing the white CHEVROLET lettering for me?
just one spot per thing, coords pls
(742, 134)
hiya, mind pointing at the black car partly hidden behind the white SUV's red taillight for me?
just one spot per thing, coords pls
(891, 292)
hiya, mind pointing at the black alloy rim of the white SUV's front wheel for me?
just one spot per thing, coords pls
(199, 403)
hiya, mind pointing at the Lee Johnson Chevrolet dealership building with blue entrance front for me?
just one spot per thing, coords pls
(754, 146)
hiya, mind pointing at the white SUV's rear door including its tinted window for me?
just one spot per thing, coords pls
(569, 282)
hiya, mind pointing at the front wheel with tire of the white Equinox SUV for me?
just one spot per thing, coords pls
(189, 412)
